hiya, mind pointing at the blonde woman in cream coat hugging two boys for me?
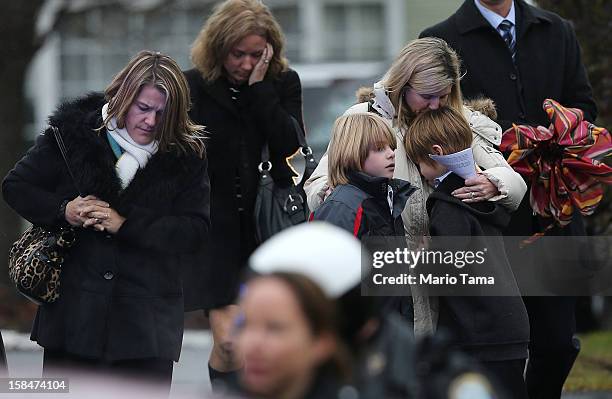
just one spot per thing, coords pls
(424, 75)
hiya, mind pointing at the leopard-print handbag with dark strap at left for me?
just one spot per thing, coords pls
(36, 258)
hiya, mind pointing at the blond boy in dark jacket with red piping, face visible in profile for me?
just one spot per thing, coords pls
(365, 200)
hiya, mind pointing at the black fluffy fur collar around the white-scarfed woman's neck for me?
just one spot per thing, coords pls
(93, 163)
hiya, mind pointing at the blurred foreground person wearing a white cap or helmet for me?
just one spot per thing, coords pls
(386, 361)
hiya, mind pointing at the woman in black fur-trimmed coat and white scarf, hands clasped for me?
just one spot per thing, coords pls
(140, 162)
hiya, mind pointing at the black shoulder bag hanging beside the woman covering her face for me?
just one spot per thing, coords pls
(277, 208)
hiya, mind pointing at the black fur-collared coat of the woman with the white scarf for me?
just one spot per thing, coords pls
(121, 295)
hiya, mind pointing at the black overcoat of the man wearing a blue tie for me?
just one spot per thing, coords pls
(548, 63)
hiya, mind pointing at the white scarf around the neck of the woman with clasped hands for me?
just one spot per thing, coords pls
(135, 155)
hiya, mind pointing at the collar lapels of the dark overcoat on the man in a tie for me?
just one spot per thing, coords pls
(468, 18)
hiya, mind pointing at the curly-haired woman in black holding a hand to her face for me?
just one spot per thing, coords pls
(244, 92)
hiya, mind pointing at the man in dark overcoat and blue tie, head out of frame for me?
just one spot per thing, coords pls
(519, 55)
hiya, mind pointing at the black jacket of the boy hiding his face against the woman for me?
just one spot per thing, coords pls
(489, 328)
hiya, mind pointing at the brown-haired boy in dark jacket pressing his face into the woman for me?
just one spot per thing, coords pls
(493, 329)
